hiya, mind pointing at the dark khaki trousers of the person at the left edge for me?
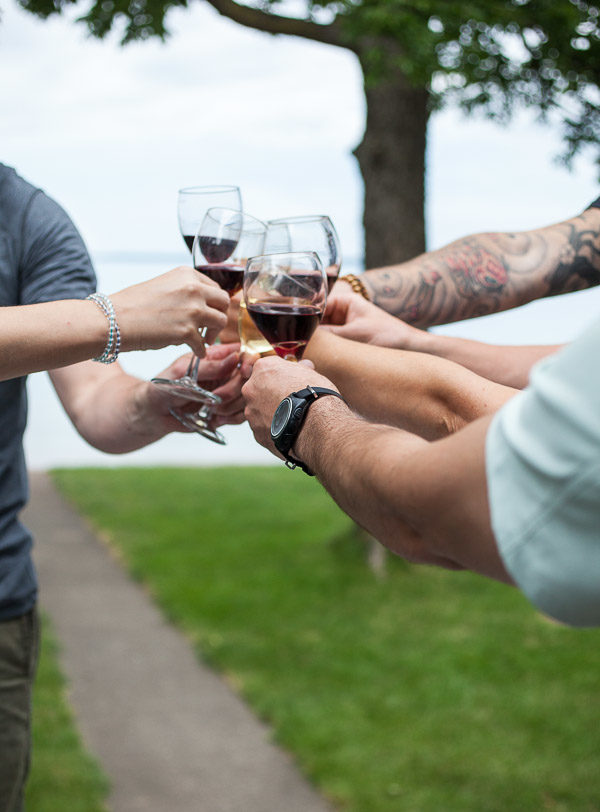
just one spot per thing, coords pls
(19, 645)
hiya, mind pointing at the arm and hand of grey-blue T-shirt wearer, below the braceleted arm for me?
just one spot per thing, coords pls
(117, 413)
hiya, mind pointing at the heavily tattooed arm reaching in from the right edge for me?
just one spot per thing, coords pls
(486, 273)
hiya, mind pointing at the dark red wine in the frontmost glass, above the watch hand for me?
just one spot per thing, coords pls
(287, 327)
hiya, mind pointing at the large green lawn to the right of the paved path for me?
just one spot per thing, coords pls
(428, 690)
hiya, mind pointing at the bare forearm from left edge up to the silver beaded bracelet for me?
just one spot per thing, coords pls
(49, 335)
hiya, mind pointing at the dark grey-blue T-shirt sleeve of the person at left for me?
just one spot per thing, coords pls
(54, 261)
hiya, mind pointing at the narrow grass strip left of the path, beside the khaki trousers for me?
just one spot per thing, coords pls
(63, 776)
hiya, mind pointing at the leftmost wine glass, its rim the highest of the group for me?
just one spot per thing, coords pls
(192, 204)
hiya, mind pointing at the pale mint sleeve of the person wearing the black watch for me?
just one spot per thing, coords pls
(543, 476)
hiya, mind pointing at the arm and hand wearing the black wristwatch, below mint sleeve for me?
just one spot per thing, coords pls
(426, 501)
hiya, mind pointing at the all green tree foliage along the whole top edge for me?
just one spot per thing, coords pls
(491, 55)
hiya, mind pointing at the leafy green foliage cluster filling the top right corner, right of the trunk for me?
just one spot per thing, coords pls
(494, 56)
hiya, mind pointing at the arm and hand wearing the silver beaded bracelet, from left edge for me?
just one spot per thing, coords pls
(167, 310)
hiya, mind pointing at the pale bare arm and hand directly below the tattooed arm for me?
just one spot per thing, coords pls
(354, 318)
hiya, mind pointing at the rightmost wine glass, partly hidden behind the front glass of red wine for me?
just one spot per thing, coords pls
(313, 232)
